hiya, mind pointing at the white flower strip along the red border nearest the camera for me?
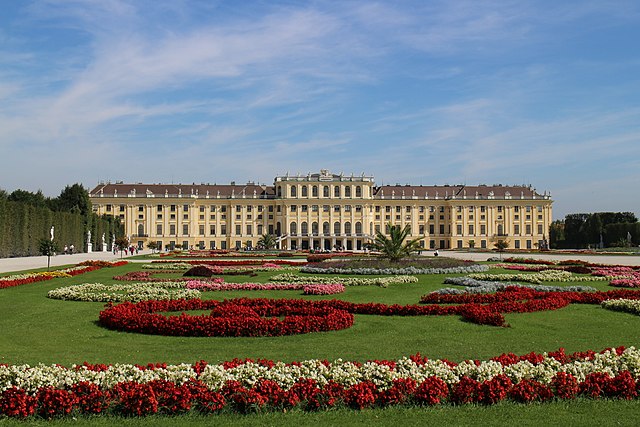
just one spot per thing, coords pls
(31, 378)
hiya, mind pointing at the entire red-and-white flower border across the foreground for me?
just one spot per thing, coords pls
(247, 385)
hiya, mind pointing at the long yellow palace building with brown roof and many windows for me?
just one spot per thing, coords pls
(325, 211)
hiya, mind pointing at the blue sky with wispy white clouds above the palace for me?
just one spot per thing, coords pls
(545, 93)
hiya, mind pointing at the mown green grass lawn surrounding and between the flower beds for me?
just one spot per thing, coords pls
(36, 329)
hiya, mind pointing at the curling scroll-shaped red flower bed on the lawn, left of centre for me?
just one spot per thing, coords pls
(239, 317)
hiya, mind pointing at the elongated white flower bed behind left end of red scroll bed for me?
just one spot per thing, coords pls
(134, 292)
